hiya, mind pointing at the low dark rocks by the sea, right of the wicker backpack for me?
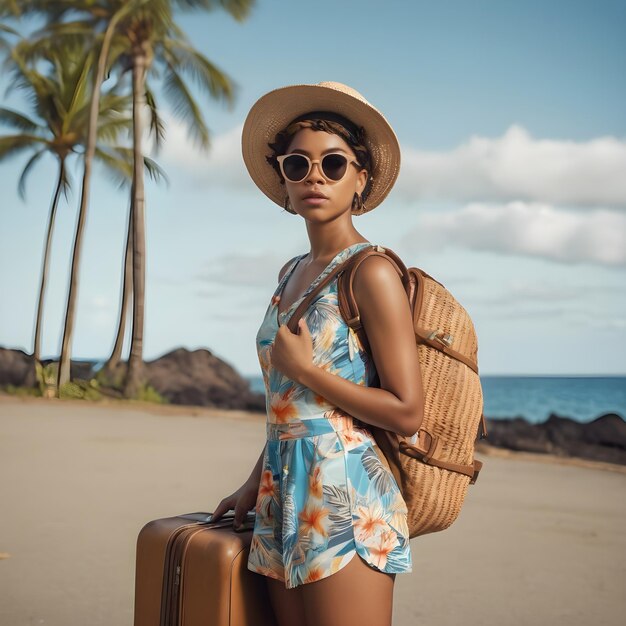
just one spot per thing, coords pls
(603, 439)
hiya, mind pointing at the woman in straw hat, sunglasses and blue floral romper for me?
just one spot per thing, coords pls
(322, 495)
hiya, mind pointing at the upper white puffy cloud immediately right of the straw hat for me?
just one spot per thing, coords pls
(518, 167)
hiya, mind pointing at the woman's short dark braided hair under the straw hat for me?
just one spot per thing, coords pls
(330, 122)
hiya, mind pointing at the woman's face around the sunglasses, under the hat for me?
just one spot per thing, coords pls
(339, 194)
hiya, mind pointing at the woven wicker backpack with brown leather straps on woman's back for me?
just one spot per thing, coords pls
(434, 467)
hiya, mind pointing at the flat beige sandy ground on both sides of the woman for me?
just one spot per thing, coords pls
(536, 542)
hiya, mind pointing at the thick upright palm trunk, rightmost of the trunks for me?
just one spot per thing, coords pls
(135, 360)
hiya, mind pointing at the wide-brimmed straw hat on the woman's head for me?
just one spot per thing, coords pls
(275, 110)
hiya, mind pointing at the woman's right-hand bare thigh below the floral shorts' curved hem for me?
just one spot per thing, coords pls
(355, 595)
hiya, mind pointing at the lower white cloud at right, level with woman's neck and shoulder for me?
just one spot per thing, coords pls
(530, 229)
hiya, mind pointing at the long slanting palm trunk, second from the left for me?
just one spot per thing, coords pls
(90, 149)
